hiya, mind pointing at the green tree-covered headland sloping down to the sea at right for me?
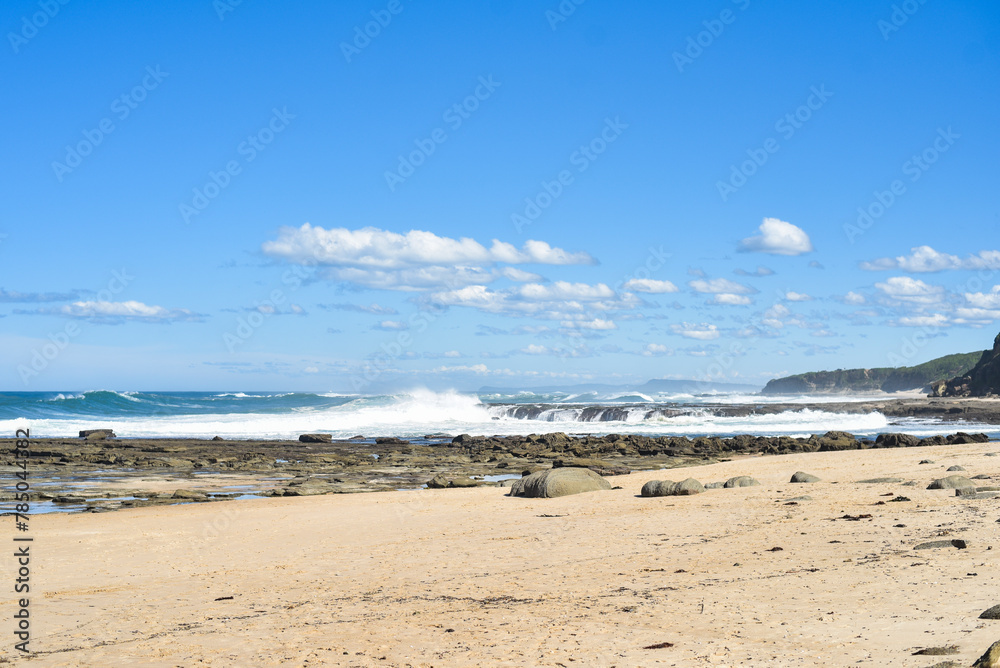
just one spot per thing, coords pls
(883, 379)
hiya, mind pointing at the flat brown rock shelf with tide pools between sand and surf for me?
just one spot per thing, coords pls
(318, 464)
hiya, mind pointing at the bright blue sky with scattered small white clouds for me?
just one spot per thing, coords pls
(228, 195)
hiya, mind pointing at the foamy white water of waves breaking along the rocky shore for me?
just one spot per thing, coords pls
(420, 412)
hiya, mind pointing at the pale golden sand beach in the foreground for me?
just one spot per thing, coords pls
(469, 577)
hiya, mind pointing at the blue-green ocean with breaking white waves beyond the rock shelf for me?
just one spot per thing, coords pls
(414, 413)
